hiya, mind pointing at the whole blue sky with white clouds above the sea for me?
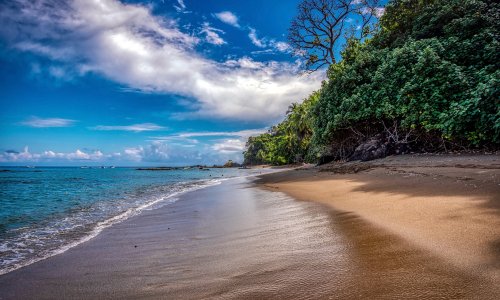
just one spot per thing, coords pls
(130, 83)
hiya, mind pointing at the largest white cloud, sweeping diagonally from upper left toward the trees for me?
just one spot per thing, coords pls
(127, 44)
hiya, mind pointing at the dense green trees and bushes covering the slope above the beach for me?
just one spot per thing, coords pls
(427, 80)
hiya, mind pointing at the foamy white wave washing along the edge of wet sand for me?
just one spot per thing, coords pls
(29, 245)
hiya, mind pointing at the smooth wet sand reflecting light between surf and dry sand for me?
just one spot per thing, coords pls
(238, 241)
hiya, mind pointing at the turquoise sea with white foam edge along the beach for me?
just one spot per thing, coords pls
(44, 211)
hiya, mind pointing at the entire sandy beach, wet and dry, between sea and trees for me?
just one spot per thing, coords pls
(382, 233)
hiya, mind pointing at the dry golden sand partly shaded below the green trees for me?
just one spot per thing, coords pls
(447, 205)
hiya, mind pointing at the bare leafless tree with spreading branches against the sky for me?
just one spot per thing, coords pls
(320, 25)
